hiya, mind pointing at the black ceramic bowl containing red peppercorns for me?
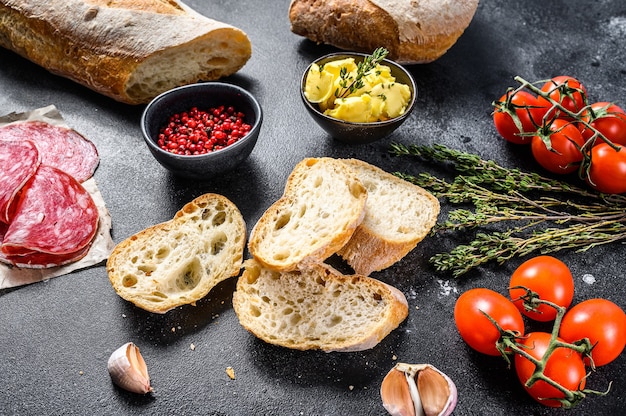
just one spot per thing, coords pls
(203, 96)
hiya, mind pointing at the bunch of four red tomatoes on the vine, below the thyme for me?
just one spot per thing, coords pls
(590, 334)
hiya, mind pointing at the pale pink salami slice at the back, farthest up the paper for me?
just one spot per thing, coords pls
(59, 147)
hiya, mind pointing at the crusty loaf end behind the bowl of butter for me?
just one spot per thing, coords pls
(413, 31)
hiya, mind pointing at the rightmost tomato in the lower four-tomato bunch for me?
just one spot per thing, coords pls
(600, 320)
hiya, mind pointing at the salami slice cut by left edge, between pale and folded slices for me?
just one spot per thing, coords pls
(18, 162)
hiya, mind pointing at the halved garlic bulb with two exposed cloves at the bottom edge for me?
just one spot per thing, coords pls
(418, 390)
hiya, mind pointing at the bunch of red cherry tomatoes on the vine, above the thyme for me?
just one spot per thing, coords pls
(566, 133)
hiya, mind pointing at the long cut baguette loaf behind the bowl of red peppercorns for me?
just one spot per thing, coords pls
(129, 50)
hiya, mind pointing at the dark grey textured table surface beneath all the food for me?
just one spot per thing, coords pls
(56, 336)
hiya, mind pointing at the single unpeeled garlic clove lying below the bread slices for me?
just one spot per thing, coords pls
(128, 369)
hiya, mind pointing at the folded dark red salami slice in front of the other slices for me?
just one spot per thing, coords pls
(55, 220)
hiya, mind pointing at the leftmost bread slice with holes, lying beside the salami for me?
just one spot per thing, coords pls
(179, 261)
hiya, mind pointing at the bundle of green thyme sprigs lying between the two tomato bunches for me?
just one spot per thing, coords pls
(538, 214)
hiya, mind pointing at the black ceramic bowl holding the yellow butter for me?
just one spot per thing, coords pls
(359, 133)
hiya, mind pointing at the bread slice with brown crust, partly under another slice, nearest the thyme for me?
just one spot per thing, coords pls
(398, 215)
